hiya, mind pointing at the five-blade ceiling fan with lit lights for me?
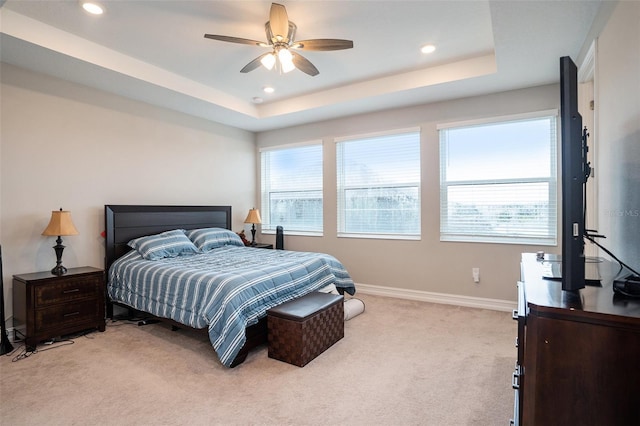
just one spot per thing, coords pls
(280, 37)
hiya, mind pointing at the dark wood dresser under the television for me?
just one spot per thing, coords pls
(578, 359)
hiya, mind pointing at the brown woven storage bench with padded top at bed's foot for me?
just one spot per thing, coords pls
(303, 328)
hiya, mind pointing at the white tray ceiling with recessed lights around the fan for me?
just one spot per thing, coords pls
(154, 51)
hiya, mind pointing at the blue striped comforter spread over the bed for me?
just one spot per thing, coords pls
(225, 290)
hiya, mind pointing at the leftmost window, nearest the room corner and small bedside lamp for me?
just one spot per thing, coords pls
(292, 189)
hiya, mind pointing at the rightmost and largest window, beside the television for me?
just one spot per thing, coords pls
(498, 180)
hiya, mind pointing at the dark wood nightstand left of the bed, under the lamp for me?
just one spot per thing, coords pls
(46, 305)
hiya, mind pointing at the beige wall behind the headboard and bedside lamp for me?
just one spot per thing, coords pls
(65, 145)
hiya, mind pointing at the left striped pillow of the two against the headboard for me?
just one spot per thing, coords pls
(167, 244)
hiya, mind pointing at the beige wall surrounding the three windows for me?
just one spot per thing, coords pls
(427, 265)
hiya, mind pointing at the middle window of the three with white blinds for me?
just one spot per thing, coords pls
(379, 185)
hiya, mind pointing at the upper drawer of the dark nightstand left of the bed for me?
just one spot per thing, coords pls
(66, 291)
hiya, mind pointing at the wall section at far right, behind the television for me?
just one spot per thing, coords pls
(617, 91)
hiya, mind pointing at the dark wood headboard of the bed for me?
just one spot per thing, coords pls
(125, 222)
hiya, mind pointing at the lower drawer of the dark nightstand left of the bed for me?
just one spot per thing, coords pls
(66, 315)
